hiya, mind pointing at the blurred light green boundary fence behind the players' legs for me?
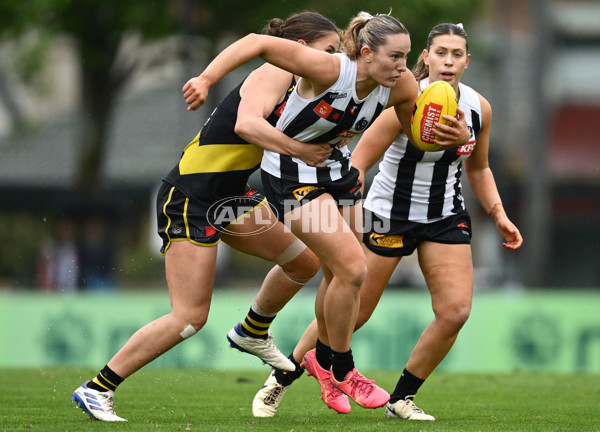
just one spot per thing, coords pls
(555, 331)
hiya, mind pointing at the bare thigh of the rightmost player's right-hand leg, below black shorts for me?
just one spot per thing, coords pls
(448, 272)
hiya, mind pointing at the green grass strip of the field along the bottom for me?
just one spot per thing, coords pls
(206, 400)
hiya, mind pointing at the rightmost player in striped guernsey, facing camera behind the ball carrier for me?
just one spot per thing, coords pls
(416, 203)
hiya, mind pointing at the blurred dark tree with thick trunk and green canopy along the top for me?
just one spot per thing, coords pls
(109, 36)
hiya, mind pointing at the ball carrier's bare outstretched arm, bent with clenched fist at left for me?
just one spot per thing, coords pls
(314, 65)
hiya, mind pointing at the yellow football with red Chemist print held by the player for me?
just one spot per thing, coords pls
(436, 100)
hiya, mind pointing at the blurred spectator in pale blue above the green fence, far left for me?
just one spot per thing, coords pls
(58, 261)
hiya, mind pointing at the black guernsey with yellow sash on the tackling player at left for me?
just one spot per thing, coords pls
(217, 163)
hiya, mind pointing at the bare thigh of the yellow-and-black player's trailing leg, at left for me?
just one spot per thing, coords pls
(190, 273)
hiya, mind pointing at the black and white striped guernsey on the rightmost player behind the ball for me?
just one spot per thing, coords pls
(424, 187)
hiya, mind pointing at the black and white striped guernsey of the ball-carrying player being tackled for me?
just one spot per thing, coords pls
(335, 115)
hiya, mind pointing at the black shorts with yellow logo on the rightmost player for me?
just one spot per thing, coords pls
(392, 238)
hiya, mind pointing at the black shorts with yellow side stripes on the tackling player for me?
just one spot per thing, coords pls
(180, 218)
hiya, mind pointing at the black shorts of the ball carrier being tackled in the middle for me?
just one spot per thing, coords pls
(285, 195)
